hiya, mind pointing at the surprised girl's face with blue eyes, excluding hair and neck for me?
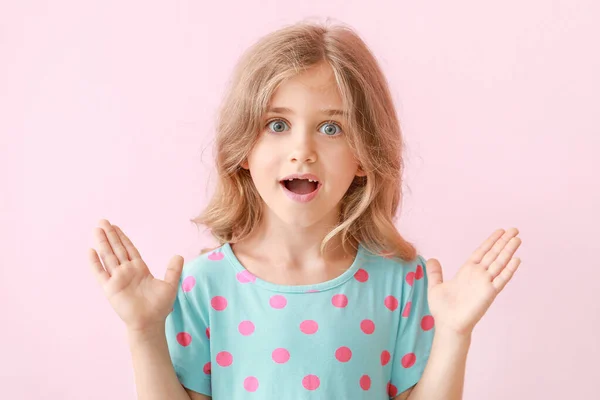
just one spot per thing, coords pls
(300, 136)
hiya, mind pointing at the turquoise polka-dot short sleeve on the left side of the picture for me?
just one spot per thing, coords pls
(188, 340)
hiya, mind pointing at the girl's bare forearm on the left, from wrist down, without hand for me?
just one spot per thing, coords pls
(155, 377)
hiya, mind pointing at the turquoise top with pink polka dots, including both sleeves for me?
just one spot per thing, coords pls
(366, 334)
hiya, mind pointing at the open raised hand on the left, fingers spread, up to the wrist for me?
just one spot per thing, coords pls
(140, 300)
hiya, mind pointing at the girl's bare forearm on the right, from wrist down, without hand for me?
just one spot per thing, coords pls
(444, 374)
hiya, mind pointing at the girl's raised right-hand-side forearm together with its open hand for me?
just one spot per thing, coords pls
(460, 303)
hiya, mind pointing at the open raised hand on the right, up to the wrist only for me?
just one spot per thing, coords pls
(458, 304)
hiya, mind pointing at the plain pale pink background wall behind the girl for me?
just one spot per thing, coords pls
(107, 111)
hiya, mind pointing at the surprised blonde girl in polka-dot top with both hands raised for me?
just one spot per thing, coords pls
(312, 293)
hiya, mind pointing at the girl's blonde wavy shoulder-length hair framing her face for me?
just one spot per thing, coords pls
(368, 209)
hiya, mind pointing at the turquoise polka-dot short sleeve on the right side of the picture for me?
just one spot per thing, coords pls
(415, 332)
